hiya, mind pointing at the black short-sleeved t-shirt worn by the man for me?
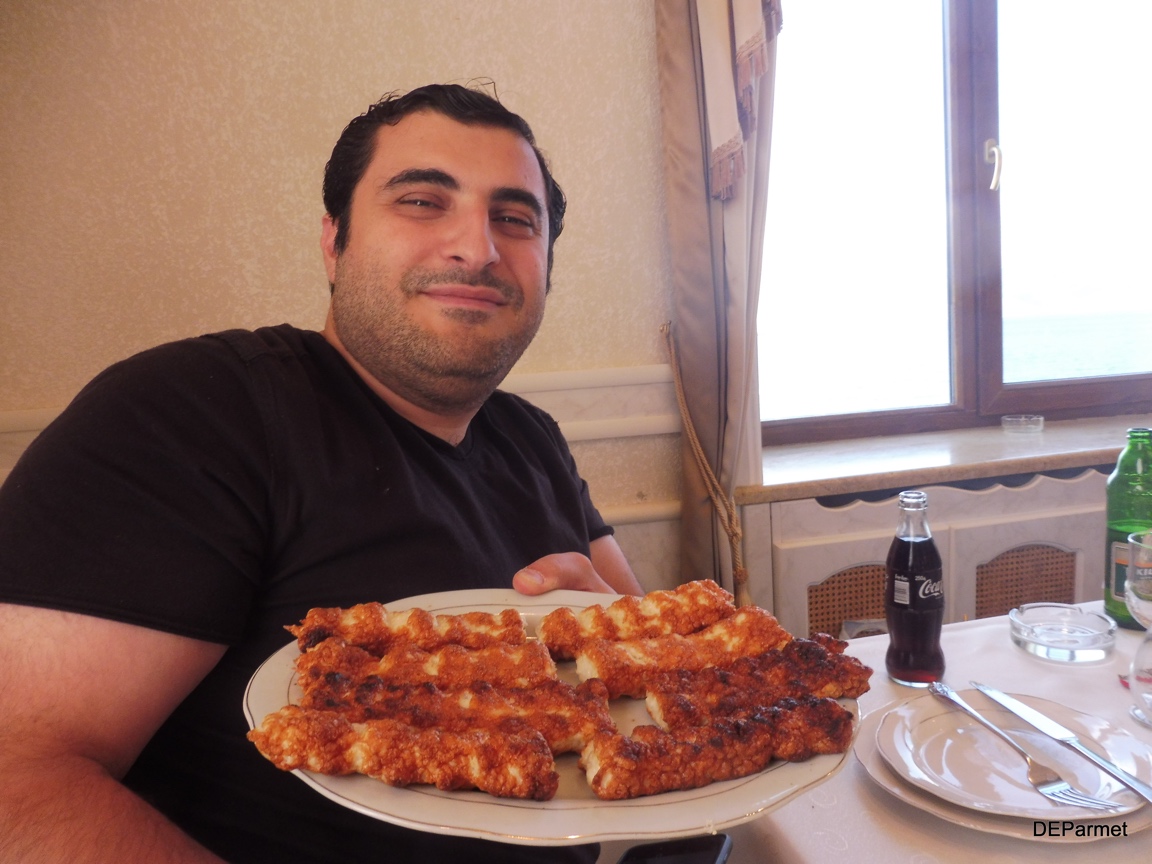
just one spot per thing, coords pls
(219, 488)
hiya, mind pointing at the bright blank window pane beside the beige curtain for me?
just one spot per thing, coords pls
(854, 297)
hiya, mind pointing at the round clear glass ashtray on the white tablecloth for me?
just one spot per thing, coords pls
(1063, 633)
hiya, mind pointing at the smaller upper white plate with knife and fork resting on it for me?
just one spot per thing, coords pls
(948, 754)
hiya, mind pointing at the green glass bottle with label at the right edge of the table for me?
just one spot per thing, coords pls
(1128, 510)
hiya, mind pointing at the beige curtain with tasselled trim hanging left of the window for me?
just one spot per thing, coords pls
(717, 70)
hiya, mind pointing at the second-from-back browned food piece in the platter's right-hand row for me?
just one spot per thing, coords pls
(627, 666)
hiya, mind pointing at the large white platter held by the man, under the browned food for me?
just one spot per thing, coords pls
(575, 815)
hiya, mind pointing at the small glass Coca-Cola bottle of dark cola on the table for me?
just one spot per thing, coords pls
(914, 597)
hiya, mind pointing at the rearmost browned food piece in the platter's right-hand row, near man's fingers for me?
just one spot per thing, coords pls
(681, 611)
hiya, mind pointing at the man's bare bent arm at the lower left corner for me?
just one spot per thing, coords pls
(80, 698)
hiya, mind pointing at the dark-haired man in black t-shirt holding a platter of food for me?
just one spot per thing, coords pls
(195, 499)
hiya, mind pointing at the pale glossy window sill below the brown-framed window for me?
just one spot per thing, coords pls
(839, 468)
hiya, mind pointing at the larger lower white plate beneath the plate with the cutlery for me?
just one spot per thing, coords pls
(877, 769)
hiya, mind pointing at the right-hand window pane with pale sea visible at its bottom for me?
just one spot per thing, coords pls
(1075, 89)
